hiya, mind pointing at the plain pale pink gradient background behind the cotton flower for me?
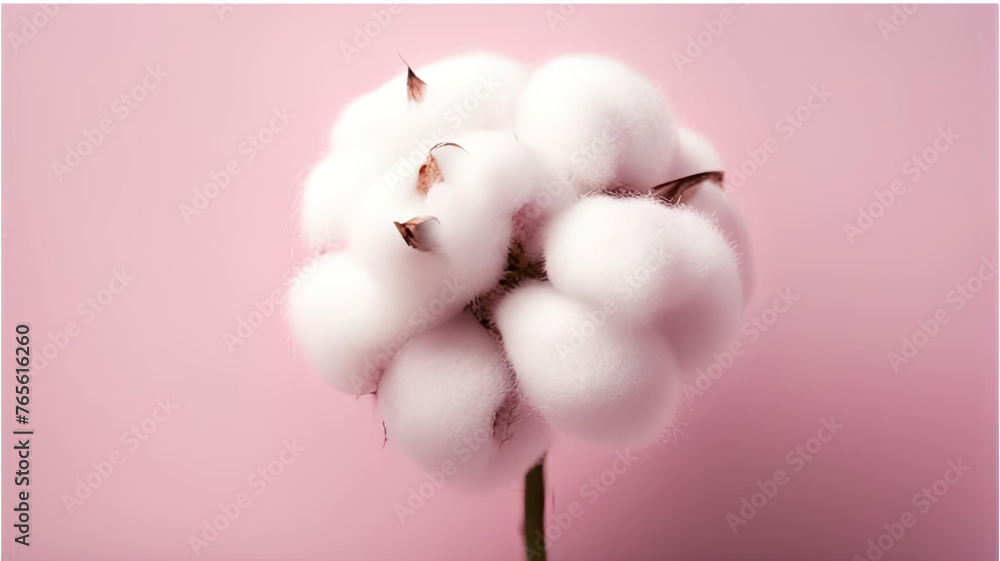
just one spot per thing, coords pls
(163, 335)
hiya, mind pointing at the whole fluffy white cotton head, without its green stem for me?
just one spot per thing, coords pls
(560, 160)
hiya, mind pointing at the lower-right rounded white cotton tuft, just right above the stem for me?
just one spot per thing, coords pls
(587, 373)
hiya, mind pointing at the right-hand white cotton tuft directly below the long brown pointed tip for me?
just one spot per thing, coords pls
(667, 268)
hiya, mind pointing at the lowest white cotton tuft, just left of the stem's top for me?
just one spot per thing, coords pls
(440, 397)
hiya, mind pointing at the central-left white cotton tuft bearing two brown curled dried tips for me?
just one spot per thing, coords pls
(470, 232)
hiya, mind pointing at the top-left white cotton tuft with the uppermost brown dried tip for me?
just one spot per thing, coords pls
(463, 93)
